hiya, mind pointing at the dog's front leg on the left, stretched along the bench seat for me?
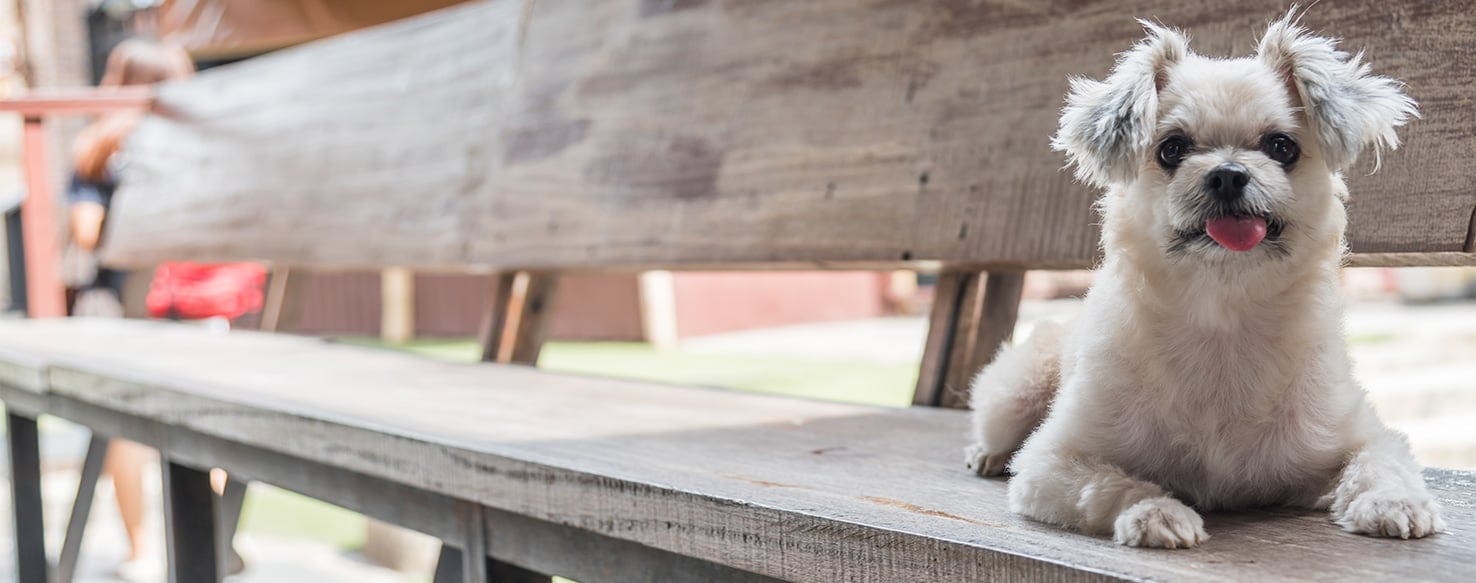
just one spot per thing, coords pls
(1100, 498)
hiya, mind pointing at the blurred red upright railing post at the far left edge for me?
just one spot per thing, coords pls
(44, 280)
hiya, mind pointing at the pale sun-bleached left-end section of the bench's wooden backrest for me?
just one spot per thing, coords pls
(404, 116)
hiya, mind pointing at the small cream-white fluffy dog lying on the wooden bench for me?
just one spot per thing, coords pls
(1208, 368)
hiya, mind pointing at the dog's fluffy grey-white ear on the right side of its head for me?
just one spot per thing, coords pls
(1347, 106)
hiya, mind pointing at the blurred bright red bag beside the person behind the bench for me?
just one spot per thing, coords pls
(196, 291)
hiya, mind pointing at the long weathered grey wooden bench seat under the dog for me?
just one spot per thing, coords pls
(779, 488)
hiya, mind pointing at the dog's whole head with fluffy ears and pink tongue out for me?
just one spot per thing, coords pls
(1232, 160)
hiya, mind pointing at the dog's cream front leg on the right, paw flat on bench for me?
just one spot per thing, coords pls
(1382, 492)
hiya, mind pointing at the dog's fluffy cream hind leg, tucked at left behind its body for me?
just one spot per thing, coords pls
(1012, 396)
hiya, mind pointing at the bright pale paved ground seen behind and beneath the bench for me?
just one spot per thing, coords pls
(1419, 364)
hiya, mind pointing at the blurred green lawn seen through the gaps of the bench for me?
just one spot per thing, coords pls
(281, 513)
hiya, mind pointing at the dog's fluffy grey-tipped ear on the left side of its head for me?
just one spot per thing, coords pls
(1108, 125)
